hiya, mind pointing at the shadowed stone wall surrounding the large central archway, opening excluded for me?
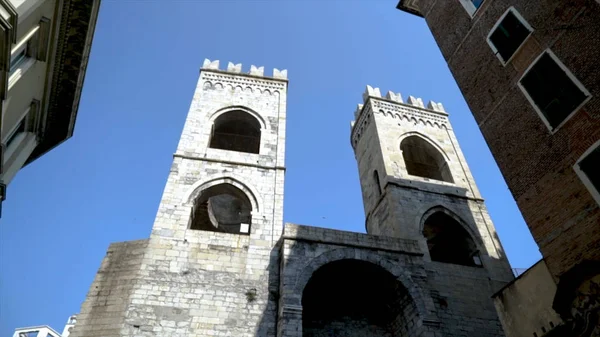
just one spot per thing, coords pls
(450, 300)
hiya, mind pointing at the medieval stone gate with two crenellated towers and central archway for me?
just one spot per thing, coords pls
(220, 262)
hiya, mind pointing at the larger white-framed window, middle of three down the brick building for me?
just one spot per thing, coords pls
(552, 90)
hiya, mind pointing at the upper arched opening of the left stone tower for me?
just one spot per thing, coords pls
(236, 131)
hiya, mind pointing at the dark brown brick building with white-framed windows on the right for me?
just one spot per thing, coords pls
(529, 73)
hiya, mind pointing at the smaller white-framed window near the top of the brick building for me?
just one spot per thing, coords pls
(508, 35)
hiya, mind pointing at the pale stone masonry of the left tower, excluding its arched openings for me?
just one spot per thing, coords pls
(218, 284)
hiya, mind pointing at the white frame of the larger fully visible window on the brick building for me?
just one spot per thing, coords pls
(570, 75)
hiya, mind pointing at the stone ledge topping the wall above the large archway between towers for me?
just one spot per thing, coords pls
(350, 239)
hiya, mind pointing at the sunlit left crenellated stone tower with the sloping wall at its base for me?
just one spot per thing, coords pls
(209, 267)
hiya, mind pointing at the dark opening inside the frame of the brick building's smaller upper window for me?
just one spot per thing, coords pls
(509, 35)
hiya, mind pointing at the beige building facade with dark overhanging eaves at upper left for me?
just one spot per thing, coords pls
(44, 50)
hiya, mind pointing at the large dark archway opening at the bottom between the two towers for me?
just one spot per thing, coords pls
(352, 298)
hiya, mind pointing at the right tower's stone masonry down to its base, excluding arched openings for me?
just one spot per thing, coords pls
(461, 293)
